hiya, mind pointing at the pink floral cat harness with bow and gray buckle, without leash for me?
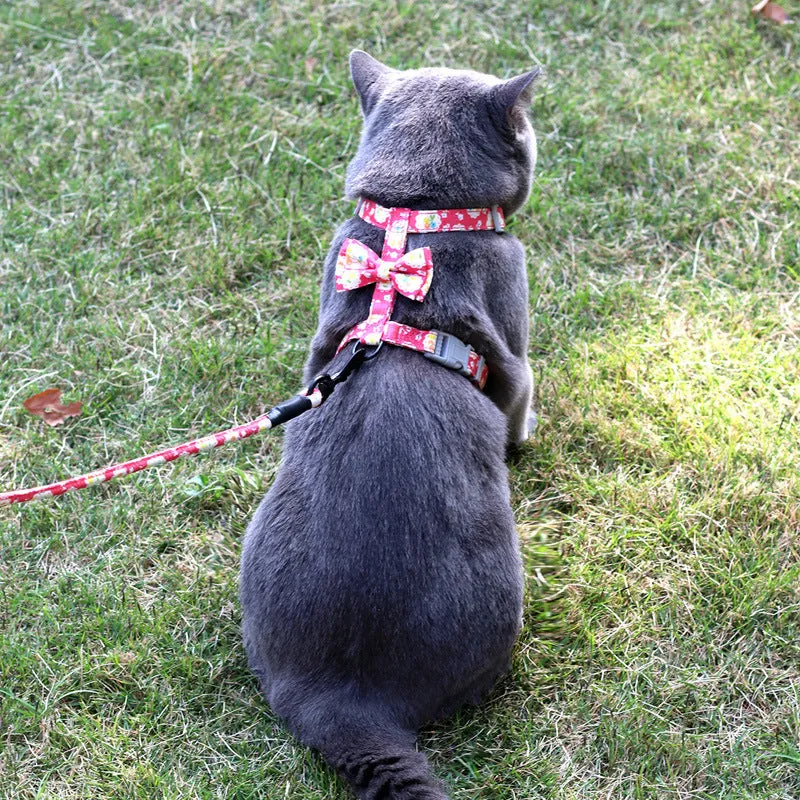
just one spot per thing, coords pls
(410, 274)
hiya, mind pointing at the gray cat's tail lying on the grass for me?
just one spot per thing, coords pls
(375, 755)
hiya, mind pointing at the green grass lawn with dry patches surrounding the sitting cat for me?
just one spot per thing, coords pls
(170, 176)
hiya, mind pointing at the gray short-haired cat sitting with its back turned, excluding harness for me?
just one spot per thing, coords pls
(381, 581)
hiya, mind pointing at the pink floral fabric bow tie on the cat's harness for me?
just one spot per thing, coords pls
(359, 266)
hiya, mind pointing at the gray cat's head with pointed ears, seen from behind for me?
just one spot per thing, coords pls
(441, 138)
